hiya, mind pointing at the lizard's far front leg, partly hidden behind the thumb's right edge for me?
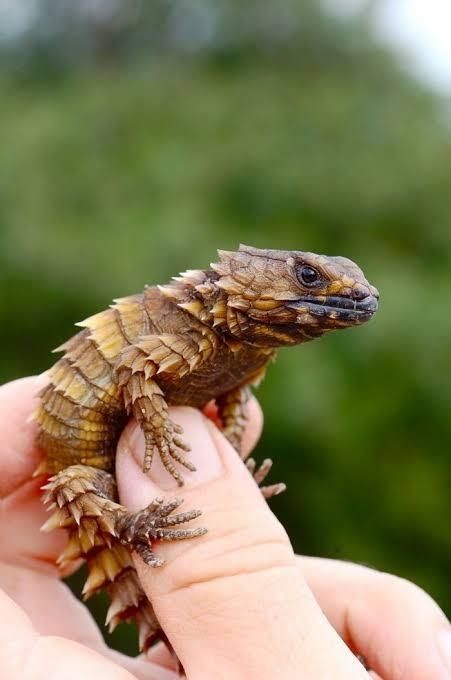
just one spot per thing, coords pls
(233, 414)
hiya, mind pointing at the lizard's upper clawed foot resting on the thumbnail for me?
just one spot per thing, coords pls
(169, 444)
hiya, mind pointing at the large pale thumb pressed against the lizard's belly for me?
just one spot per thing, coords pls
(232, 602)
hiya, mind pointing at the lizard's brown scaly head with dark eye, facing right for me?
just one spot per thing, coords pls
(277, 297)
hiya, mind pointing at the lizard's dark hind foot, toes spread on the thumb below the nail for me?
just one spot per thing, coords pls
(138, 530)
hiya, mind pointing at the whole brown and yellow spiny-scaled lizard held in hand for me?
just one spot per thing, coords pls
(208, 335)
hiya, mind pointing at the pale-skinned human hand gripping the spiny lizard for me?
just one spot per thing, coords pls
(235, 603)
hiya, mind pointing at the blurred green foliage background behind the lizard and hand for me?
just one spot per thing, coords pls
(137, 138)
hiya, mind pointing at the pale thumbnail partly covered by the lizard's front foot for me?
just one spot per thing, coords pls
(203, 455)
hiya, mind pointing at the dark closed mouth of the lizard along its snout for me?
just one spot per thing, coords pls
(338, 308)
